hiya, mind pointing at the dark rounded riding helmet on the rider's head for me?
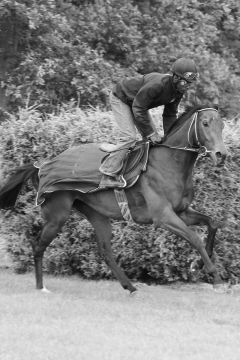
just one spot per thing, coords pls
(186, 69)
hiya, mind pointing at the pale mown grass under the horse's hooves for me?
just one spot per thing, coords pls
(92, 320)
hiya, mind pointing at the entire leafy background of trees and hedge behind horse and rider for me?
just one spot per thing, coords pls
(58, 61)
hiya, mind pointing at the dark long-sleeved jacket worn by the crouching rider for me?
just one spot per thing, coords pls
(144, 92)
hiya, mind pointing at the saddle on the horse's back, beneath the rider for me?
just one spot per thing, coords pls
(124, 163)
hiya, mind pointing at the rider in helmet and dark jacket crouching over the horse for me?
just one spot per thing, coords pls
(131, 99)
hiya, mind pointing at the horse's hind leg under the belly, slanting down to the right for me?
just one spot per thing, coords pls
(103, 229)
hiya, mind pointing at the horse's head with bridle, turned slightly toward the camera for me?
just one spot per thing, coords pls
(208, 134)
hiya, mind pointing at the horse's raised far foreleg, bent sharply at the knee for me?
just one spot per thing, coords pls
(193, 217)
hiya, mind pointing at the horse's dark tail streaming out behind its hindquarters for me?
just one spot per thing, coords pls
(9, 192)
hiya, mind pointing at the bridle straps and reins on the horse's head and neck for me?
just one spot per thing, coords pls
(201, 150)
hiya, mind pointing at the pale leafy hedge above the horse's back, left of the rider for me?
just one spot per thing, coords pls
(32, 137)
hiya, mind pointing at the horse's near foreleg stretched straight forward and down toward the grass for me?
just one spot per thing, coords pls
(172, 222)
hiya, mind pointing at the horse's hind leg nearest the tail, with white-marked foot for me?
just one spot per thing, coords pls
(55, 212)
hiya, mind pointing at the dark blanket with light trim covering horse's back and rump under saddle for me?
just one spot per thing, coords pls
(78, 169)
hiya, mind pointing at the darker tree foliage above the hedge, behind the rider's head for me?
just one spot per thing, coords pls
(78, 49)
